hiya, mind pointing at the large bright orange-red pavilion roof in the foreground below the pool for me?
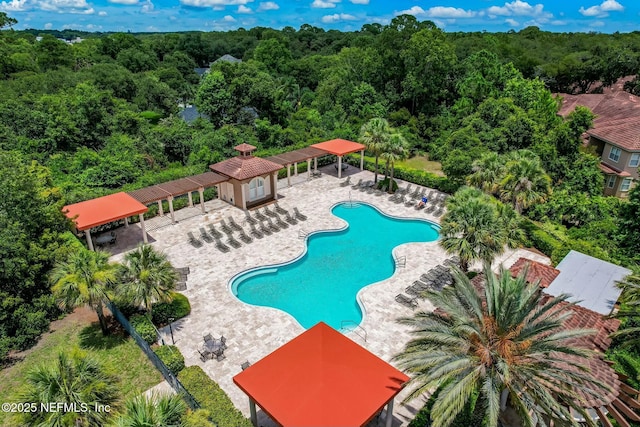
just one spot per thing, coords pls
(321, 378)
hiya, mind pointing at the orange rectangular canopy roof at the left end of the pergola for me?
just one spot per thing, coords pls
(103, 210)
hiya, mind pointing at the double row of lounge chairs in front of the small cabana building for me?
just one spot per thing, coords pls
(264, 221)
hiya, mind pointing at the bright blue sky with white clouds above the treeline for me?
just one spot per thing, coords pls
(459, 15)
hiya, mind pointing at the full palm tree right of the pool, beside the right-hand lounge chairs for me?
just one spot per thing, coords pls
(471, 227)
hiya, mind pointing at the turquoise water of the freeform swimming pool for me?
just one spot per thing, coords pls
(322, 284)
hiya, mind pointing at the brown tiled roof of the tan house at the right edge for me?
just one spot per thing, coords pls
(617, 116)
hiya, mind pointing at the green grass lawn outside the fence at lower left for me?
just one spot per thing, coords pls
(119, 356)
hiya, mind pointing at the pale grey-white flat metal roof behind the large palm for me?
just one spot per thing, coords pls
(590, 281)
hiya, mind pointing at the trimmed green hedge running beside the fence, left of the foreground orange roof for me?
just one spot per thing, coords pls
(212, 398)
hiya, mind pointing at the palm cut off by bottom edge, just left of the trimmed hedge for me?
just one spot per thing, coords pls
(156, 410)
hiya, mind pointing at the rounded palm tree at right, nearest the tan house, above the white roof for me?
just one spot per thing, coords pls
(525, 182)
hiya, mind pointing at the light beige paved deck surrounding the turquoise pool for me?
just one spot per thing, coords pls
(253, 332)
